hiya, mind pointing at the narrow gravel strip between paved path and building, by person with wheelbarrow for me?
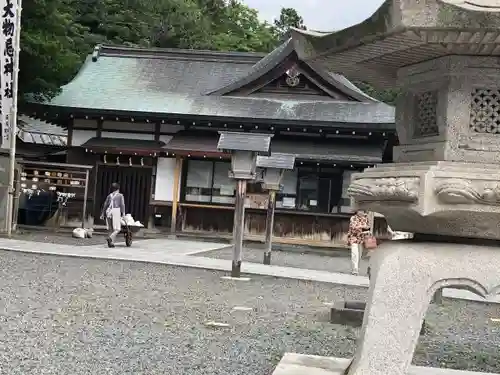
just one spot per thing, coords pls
(62, 238)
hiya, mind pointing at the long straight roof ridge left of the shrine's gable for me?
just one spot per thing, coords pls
(173, 53)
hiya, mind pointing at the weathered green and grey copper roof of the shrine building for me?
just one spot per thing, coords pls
(172, 82)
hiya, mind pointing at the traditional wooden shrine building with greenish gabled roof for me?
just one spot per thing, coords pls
(149, 119)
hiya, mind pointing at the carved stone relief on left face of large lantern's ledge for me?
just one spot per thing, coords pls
(404, 189)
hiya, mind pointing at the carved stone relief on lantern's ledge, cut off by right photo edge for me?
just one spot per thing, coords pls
(458, 191)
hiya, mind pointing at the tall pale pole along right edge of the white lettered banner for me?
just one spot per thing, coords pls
(13, 119)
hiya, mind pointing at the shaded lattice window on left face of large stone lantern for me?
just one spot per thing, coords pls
(426, 115)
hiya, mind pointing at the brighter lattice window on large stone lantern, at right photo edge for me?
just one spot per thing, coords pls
(485, 111)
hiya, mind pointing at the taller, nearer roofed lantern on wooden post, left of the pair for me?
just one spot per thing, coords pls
(244, 149)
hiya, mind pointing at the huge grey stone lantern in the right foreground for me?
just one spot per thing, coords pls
(444, 184)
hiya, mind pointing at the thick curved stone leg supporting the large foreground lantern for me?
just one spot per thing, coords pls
(405, 277)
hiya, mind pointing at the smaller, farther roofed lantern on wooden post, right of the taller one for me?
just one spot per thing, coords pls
(274, 168)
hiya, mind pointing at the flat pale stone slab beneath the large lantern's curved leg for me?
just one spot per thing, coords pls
(302, 364)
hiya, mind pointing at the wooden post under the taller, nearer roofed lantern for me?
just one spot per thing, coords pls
(238, 226)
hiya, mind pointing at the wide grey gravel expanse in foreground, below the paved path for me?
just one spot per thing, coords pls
(80, 316)
